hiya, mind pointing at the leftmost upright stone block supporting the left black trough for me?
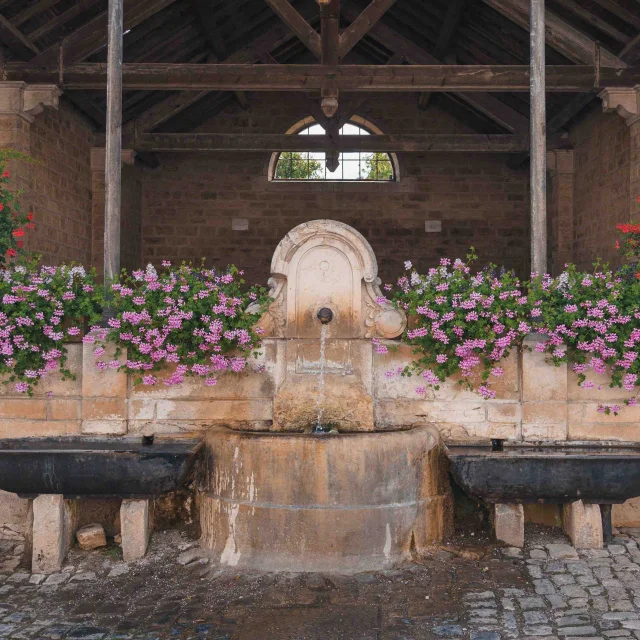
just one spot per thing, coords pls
(54, 522)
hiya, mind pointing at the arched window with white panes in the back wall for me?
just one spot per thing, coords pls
(359, 166)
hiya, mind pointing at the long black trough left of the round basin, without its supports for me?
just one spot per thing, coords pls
(83, 466)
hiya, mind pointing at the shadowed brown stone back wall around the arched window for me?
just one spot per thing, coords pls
(191, 200)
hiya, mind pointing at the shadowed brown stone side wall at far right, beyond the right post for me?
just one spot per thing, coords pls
(601, 189)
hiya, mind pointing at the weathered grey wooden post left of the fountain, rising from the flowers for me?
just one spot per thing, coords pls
(113, 176)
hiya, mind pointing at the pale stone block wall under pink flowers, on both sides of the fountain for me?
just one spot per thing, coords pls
(535, 401)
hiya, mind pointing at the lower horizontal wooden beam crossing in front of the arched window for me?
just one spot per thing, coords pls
(405, 143)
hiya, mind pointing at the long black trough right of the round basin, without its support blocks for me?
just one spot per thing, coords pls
(594, 472)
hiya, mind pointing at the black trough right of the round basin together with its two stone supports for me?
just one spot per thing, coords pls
(585, 477)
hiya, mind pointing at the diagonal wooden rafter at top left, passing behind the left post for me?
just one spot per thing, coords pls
(92, 36)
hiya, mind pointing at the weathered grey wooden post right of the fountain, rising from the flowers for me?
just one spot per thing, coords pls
(538, 141)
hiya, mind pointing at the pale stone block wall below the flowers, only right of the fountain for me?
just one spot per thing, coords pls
(534, 401)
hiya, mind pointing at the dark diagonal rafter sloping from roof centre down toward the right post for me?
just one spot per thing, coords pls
(501, 113)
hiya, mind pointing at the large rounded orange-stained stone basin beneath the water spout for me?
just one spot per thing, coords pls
(347, 502)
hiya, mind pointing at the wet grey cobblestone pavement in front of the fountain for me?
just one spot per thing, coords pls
(472, 593)
